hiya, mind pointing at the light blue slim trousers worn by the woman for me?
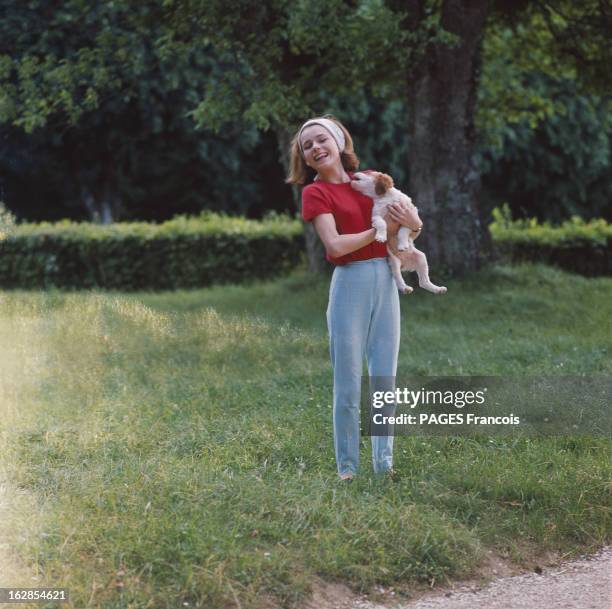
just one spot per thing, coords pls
(363, 319)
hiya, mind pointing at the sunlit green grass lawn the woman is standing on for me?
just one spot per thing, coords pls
(177, 447)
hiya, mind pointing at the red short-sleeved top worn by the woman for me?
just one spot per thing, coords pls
(352, 212)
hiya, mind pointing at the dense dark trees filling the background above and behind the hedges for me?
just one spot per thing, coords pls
(118, 110)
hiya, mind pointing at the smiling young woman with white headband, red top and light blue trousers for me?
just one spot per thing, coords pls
(363, 314)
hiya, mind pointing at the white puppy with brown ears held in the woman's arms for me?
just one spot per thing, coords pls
(403, 256)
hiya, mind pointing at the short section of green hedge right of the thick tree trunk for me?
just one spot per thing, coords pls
(577, 246)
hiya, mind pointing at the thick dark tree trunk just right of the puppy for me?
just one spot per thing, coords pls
(444, 180)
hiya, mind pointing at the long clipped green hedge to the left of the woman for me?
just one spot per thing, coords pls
(181, 253)
